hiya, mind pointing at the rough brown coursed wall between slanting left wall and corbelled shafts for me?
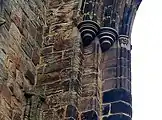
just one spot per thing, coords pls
(59, 69)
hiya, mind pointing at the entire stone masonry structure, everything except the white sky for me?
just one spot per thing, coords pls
(66, 59)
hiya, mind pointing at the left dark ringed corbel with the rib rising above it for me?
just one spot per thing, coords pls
(89, 27)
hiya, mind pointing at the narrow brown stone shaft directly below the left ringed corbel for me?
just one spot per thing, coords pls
(90, 101)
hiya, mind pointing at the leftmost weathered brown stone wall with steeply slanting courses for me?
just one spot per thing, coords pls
(20, 42)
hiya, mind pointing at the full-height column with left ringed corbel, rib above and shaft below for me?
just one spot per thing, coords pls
(90, 101)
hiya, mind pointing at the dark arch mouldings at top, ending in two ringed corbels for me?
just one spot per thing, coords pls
(112, 21)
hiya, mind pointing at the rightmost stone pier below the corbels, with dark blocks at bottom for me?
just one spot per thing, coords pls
(117, 99)
